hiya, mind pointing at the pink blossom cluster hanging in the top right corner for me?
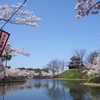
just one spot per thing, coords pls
(84, 7)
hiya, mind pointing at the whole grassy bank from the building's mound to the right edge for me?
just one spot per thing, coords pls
(77, 75)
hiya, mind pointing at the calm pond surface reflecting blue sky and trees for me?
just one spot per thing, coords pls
(47, 89)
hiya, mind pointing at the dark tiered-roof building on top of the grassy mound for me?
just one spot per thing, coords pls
(75, 63)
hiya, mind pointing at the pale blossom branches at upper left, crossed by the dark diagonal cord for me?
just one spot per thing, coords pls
(23, 17)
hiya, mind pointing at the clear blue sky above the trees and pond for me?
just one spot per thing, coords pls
(58, 35)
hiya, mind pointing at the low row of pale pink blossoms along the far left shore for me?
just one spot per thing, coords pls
(14, 73)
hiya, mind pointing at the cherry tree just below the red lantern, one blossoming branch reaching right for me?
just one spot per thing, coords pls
(8, 53)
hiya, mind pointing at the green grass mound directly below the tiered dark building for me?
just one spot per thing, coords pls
(72, 74)
